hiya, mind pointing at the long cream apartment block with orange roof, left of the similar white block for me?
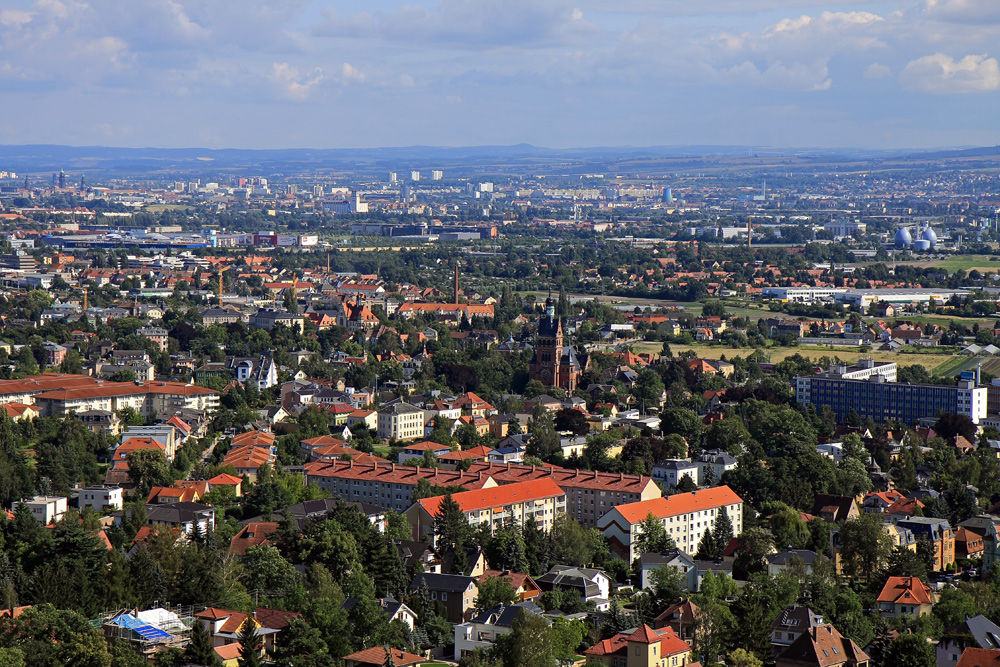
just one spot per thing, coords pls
(494, 507)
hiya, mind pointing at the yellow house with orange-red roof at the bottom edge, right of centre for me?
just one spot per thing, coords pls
(645, 647)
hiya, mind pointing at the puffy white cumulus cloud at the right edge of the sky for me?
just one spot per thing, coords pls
(940, 73)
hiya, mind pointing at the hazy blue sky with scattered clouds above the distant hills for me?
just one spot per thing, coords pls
(554, 73)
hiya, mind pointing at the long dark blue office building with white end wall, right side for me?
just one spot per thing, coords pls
(870, 390)
